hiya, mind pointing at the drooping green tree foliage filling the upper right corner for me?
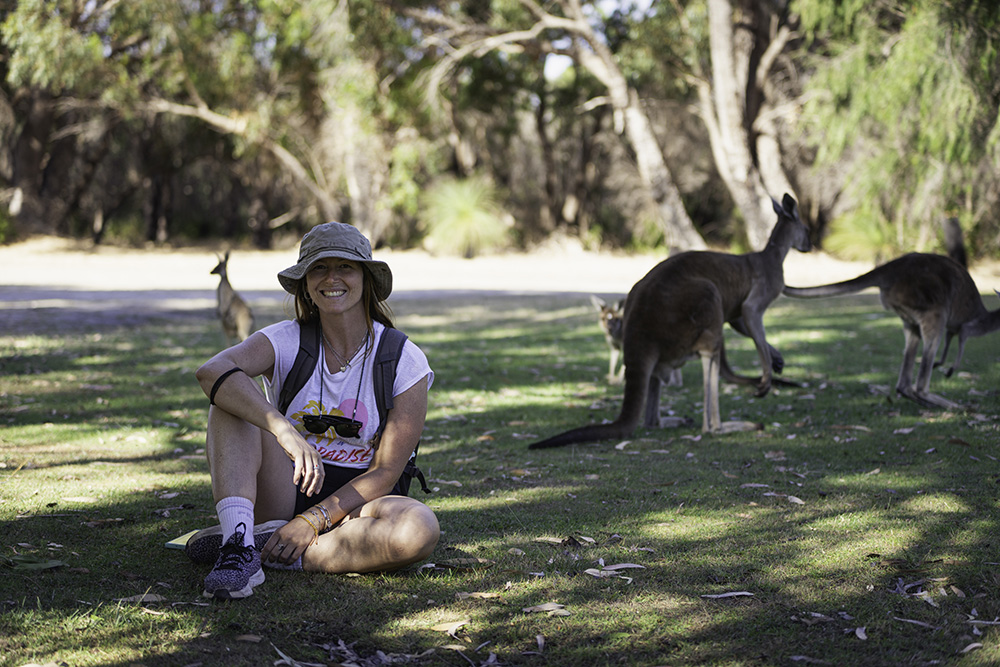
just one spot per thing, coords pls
(907, 94)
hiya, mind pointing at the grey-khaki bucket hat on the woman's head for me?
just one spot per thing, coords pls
(336, 239)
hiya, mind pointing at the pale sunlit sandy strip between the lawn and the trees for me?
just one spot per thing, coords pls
(43, 275)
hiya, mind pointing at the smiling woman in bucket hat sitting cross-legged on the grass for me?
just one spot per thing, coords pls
(294, 492)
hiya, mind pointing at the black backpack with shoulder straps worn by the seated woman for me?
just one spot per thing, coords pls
(387, 355)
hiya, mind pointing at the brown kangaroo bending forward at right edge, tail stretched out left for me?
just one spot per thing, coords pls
(936, 298)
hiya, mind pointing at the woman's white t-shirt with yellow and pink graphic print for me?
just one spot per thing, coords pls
(349, 394)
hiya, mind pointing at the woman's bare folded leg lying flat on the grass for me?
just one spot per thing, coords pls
(385, 534)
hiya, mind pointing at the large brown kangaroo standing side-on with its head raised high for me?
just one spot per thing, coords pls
(677, 312)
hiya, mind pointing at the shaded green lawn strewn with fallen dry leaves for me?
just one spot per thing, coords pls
(849, 510)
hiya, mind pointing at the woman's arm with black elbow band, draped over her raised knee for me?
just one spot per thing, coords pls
(239, 395)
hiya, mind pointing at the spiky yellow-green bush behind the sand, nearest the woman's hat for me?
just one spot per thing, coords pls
(463, 217)
